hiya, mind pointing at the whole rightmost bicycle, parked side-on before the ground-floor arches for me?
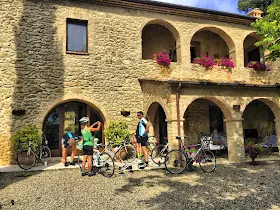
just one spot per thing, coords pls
(177, 160)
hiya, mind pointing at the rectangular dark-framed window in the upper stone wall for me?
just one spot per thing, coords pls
(77, 36)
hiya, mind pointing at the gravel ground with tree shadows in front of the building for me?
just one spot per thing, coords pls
(236, 186)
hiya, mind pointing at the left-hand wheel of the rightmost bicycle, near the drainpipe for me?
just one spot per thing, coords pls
(175, 161)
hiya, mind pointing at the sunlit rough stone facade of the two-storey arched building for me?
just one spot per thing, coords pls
(36, 73)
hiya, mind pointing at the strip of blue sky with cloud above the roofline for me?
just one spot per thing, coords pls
(221, 5)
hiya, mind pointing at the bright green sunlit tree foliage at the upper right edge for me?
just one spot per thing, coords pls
(268, 28)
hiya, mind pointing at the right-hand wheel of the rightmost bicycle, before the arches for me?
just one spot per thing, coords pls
(207, 161)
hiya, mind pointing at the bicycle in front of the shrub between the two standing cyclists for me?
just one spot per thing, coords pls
(126, 151)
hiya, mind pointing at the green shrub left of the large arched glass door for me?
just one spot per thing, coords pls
(23, 135)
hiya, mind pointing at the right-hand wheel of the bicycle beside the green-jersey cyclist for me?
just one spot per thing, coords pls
(106, 165)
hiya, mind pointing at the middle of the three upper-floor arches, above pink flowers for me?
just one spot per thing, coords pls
(220, 36)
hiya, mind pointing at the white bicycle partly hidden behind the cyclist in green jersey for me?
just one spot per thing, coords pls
(102, 161)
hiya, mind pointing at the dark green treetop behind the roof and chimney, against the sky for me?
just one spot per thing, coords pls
(247, 5)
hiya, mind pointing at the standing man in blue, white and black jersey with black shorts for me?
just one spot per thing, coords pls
(142, 136)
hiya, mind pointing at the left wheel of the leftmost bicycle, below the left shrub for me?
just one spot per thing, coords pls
(26, 159)
